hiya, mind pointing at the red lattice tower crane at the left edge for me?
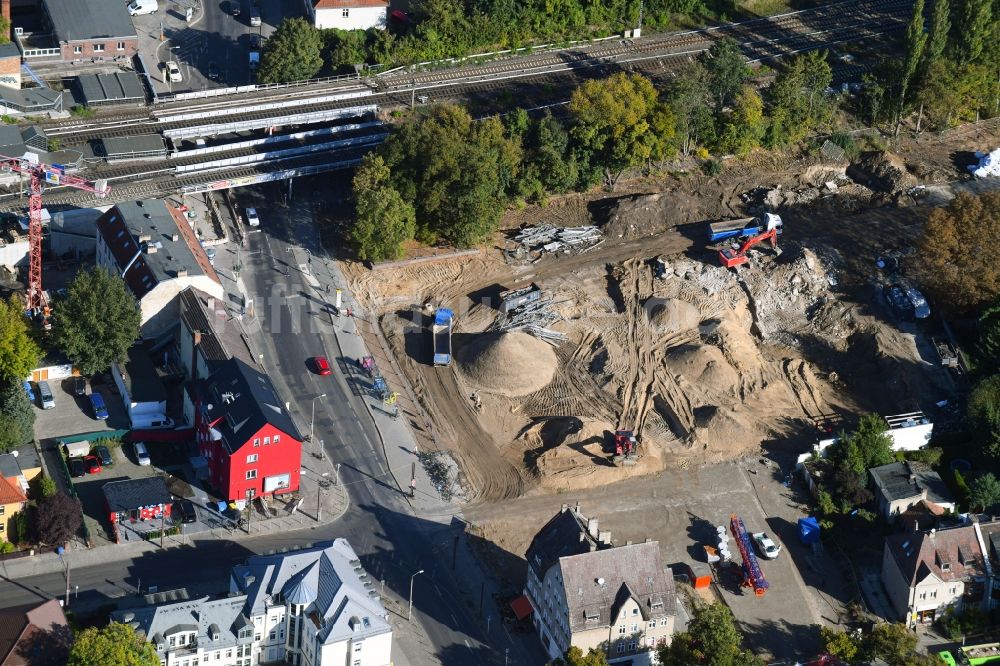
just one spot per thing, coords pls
(52, 174)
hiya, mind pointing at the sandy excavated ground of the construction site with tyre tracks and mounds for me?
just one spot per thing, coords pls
(708, 364)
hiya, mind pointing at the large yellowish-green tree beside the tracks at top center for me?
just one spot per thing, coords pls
(612, 120)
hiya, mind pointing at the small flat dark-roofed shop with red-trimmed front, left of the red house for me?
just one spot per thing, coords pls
(136, 506)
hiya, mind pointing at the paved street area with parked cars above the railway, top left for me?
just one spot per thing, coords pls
(214, 39)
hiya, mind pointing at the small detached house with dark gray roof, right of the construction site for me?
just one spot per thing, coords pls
(901, 485)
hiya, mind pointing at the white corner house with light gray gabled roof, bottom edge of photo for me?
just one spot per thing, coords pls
(314, 607)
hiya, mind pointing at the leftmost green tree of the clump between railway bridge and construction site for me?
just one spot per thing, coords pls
(384, 220)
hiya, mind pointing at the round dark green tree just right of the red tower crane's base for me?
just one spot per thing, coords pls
(97, 307)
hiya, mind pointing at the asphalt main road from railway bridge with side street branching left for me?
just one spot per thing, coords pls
(392, 542)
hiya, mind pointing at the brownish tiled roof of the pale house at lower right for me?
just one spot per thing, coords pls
(950, 554)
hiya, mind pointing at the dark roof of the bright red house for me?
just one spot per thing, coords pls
(240, 401)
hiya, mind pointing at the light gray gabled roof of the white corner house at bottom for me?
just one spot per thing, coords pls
(344, 604)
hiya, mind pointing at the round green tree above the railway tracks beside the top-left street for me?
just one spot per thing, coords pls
(292, 53)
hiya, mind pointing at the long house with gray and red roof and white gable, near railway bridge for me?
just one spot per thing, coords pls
(153, 247)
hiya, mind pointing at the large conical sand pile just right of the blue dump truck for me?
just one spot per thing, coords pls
(510, 364)
